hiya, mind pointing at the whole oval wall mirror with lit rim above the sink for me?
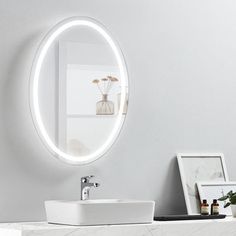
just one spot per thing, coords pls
(79, 90)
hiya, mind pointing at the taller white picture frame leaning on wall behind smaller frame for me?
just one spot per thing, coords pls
(199, 167)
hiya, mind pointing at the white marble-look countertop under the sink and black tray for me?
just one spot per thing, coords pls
(222, 227)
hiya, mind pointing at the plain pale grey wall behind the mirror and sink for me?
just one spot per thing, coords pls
(181, 58)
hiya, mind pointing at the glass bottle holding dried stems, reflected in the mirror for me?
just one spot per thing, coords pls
(105, 107)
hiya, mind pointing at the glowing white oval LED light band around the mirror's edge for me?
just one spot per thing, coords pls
(59, 29)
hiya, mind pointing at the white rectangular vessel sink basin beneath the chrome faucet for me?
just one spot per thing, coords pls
(99, 212)
